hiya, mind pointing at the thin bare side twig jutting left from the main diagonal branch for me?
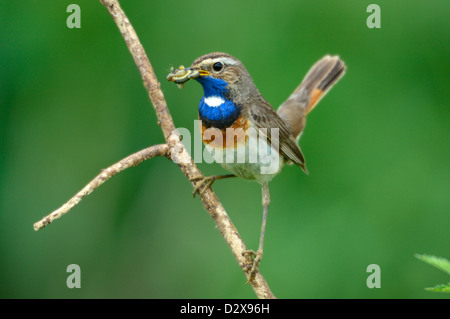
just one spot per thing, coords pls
(129, 161)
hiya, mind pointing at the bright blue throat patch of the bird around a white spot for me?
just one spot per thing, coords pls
(220, 116)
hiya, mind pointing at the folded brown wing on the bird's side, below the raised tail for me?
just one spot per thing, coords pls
(264, 116)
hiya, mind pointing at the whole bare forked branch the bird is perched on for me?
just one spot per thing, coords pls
(173, 149)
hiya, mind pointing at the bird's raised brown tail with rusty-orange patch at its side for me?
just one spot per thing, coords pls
(320, 78)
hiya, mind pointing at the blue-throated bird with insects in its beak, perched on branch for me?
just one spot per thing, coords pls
(243, 132)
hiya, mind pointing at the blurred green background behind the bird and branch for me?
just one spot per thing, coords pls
(377, 147)
